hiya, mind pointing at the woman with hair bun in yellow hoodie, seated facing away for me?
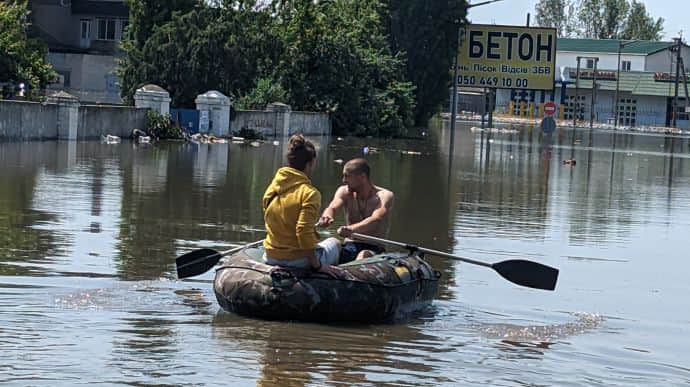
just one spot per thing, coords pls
(291, 209)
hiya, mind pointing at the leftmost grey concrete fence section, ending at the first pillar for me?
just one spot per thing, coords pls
(27, 120)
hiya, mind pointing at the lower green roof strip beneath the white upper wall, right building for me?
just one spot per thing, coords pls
(637, 83)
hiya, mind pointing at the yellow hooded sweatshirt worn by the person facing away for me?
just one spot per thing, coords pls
(291, 208)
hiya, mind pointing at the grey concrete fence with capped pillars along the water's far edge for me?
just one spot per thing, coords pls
(63, 117)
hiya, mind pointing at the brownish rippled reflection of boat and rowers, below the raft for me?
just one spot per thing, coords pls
(297, 354)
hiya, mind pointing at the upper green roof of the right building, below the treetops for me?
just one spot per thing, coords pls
(641, 47)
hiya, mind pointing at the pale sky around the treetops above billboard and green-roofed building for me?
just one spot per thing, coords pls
(514, 12)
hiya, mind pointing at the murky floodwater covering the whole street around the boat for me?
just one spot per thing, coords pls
(89, 233)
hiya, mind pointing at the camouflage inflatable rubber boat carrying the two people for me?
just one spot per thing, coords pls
(379, 288)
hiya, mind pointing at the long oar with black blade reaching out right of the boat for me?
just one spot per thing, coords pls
(519, 271)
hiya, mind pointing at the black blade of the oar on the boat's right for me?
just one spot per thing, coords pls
(528, 273)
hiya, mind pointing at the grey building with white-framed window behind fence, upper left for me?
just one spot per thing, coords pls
(83, 45)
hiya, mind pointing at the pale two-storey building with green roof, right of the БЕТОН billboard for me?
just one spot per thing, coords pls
(644, 84)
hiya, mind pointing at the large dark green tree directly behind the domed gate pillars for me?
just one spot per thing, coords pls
(224, 47)
